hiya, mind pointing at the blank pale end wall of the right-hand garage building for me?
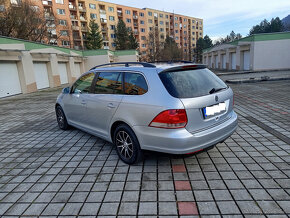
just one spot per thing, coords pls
(274, 54)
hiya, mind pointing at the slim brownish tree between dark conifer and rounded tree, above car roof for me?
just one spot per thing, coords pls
(154, 46)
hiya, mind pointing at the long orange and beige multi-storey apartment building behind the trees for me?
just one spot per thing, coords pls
(72, 19)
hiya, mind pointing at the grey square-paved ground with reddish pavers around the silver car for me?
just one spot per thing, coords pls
(48, 172)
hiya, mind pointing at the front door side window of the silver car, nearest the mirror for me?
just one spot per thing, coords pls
(83, 85)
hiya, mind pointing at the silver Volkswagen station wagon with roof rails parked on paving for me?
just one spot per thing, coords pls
(171, 108)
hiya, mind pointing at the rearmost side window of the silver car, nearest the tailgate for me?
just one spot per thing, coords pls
(135, 84)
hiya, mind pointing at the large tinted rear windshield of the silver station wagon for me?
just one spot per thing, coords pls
(191, 83)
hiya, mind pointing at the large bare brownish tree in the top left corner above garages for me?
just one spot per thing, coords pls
(25, 21)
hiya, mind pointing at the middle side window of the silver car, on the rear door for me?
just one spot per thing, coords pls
(109, 83)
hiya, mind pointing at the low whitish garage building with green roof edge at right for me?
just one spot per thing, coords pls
(255, 53)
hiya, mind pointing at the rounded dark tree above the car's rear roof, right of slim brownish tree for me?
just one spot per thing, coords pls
(170, 52)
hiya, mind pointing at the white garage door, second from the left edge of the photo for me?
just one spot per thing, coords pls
(41, 75)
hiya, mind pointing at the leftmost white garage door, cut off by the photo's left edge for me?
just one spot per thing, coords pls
(9, 79)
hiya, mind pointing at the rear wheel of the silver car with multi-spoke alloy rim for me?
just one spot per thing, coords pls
(127, 145)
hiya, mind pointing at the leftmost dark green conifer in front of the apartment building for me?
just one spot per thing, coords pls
(94, 36)
